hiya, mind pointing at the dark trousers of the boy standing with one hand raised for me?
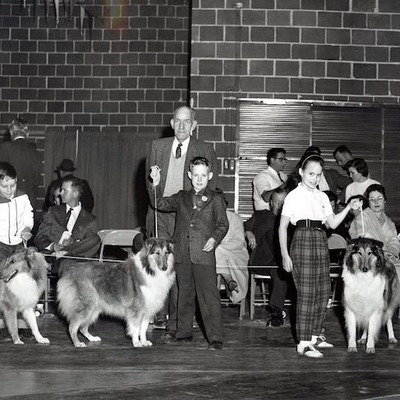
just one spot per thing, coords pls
(201, 281)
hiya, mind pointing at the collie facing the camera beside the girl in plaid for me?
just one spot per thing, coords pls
(371, 292)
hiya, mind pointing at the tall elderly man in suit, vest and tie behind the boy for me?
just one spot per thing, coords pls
(172, 155)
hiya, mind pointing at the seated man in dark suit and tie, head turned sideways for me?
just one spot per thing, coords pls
(68, 229)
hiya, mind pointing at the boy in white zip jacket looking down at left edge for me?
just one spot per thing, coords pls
(16, 213)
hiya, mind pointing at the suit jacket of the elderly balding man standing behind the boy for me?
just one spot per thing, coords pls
(160, 154)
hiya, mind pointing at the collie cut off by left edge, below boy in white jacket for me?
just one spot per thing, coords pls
(23, 278)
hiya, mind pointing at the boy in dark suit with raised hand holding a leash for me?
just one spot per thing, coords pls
(201, 224)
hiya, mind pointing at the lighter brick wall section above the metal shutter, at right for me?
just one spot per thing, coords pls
(345, 50)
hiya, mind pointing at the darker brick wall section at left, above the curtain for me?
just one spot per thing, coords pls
(127, 75)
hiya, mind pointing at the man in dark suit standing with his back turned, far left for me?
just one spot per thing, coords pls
(24, 157)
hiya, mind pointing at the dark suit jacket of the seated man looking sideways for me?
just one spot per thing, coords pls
(53, 225)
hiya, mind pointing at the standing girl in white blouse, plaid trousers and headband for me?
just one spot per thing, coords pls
(309, 209)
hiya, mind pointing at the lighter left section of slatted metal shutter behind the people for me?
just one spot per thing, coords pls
(263, 125)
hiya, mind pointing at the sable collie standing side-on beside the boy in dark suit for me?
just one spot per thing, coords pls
(134, 290)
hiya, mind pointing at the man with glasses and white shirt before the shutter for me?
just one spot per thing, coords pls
(266, 181)
